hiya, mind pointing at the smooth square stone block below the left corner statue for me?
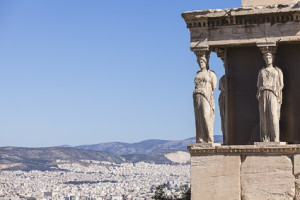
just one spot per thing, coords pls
(215, 177)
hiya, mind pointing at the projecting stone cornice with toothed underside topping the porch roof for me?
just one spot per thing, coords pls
(242, 16)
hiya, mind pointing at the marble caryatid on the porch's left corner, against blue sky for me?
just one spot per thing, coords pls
(204, 106)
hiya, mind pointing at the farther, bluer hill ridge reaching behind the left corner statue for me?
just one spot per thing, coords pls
(143, 147)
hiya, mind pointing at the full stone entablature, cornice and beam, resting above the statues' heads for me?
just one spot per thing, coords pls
(246, 25)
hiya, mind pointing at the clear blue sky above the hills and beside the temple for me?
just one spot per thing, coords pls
(85, 72)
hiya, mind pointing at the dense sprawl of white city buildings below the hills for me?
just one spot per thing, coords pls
(93, 180)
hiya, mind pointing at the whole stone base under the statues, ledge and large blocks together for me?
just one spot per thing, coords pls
(246, 172)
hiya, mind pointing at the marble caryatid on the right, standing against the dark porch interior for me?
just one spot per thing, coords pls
(269, 96)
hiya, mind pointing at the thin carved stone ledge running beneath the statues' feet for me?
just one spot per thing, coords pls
(244, 149)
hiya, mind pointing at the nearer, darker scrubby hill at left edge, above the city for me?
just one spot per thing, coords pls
(19, 158)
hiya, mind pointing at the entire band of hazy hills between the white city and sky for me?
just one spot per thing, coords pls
(150, 151)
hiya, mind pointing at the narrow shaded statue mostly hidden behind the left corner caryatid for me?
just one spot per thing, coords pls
(222, 105)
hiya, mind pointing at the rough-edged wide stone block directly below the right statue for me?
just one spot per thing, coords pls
(268, 178)
